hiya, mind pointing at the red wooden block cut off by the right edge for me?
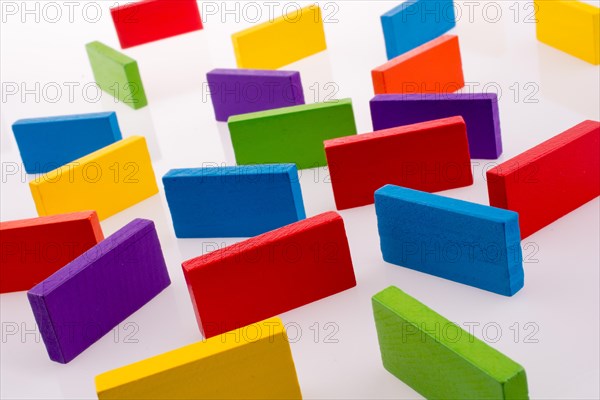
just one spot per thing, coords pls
(551, 179)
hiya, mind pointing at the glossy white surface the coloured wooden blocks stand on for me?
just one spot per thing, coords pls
(559, 348)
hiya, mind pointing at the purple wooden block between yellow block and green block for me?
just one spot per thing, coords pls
(241, 91)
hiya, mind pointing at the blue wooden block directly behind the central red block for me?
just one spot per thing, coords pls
(238, 201)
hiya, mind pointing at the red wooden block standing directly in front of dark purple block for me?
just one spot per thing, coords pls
(430, 156)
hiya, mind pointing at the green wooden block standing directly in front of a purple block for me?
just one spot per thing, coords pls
(290, 134)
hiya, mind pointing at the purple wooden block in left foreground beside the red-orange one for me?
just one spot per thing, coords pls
(91, 295)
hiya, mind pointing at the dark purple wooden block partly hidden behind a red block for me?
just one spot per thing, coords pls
(479, 110)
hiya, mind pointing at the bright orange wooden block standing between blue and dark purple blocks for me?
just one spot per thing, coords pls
(435, 67)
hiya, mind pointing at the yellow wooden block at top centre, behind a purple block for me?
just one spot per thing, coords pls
(276, 43)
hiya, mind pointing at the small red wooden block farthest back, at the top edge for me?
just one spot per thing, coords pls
(150, 20)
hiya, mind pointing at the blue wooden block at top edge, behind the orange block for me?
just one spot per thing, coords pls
(415, 22)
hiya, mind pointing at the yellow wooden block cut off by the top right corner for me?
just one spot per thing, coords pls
(571, 26)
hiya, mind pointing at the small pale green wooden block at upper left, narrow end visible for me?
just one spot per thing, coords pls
(117, 74)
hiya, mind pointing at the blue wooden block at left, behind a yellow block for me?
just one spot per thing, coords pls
(48, 143)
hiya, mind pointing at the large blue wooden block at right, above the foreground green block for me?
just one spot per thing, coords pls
(465, 242)
